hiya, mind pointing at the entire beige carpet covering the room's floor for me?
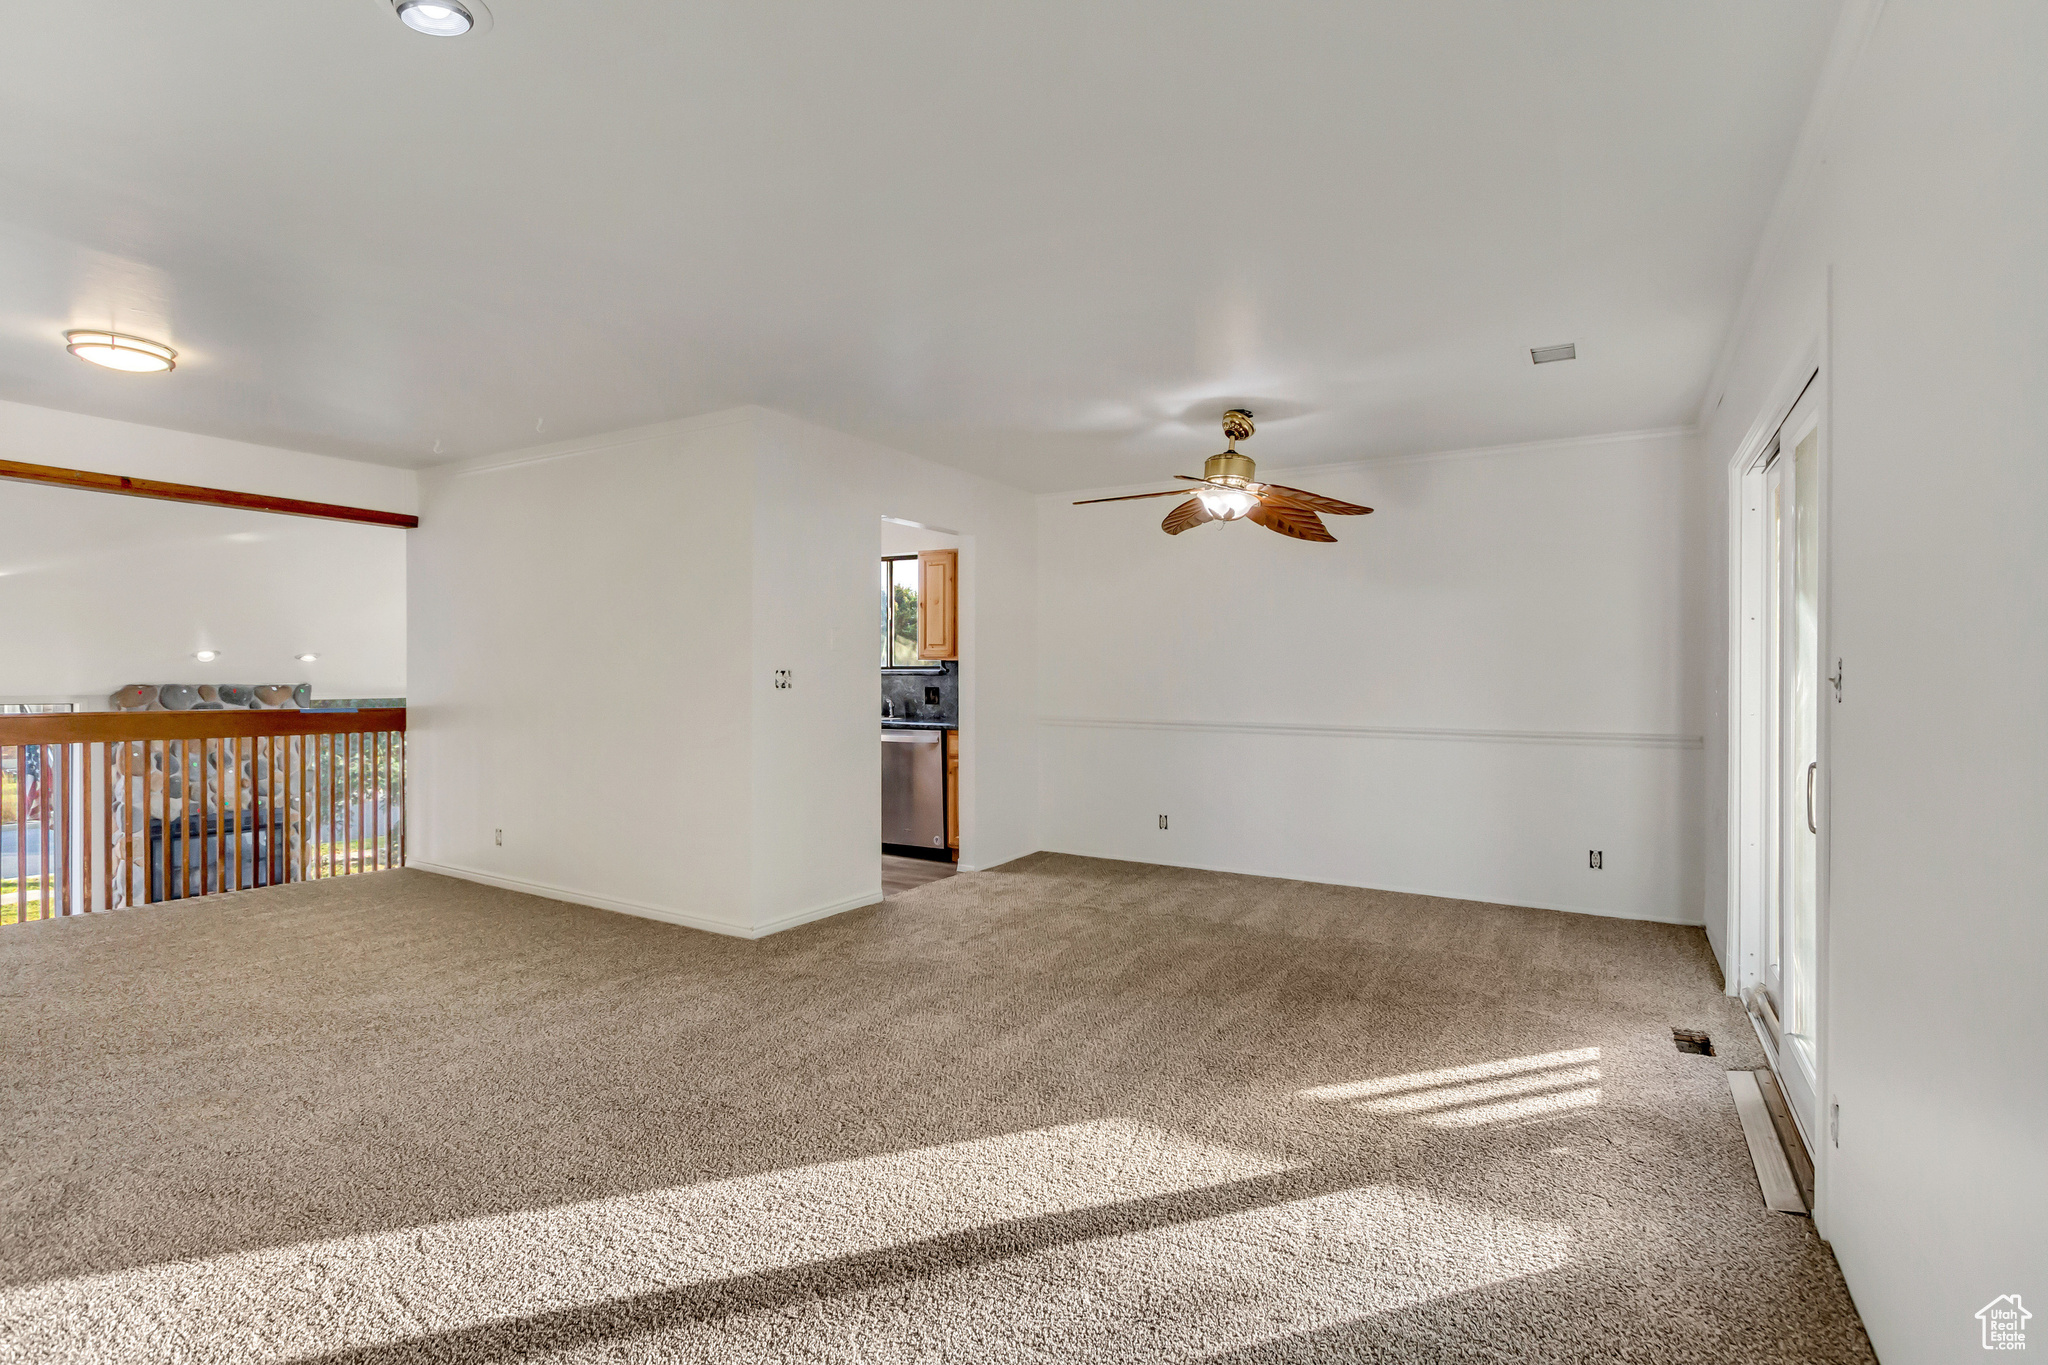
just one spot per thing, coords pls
(1064, 1110)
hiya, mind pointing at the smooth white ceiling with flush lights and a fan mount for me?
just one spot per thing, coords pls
(1046, 243)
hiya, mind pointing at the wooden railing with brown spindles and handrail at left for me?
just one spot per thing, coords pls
(120, 809)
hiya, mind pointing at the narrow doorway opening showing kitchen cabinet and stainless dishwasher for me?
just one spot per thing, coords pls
(921, 705)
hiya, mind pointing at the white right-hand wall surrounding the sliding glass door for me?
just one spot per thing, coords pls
(1916, 251)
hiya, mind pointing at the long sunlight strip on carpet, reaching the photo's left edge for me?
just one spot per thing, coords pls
(376, 1288)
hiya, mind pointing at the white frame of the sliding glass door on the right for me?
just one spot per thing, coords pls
(1746, 779)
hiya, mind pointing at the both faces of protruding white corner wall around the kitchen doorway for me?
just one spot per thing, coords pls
(595, 635)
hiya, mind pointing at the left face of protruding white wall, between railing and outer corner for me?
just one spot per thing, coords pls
(581, 654)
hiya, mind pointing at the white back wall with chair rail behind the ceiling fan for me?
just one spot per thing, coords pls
(1474, 689)
